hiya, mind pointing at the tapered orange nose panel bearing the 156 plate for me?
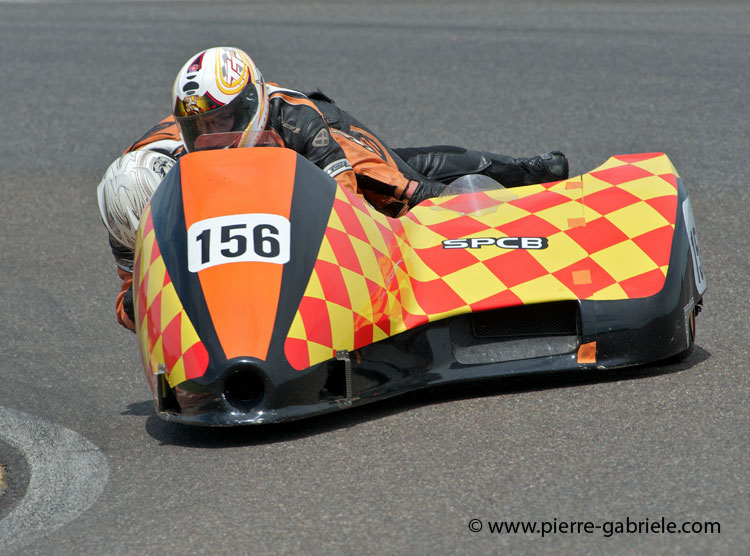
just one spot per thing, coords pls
(238, 241)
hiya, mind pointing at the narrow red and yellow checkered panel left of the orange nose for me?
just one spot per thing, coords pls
(167, 338)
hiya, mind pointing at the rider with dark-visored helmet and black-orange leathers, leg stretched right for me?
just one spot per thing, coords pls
(220, 90)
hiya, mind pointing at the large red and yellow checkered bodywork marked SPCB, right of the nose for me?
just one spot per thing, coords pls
(608, 232)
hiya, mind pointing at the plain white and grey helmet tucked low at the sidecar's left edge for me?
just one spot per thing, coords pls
(125, 190)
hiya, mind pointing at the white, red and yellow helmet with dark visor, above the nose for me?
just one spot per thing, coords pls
(219, 90)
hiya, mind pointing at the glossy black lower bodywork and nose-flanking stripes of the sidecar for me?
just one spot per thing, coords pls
(626, 332)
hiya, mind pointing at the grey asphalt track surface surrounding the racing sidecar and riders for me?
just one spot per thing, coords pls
(81, 80)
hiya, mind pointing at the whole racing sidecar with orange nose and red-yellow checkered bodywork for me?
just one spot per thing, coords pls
(257, 308)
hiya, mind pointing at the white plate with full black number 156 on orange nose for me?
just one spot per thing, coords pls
(238, 238)
